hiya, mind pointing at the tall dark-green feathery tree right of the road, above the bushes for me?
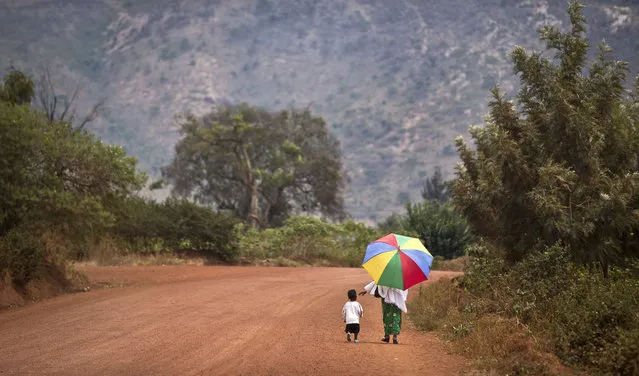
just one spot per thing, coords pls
(561, 165)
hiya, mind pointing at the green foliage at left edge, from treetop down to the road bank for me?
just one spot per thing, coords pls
(51, 179)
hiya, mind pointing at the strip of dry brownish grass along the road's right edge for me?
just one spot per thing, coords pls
(498, 346)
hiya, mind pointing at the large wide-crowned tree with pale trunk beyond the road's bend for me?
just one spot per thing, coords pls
(260, 165)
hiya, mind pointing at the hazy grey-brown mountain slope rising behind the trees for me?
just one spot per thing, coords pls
(397, 80)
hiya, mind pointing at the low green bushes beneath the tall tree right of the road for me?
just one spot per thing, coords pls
(587, 320)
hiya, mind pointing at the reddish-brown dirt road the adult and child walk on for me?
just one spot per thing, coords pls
(189, 320)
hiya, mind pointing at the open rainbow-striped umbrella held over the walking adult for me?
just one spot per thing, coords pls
(397, 261)
